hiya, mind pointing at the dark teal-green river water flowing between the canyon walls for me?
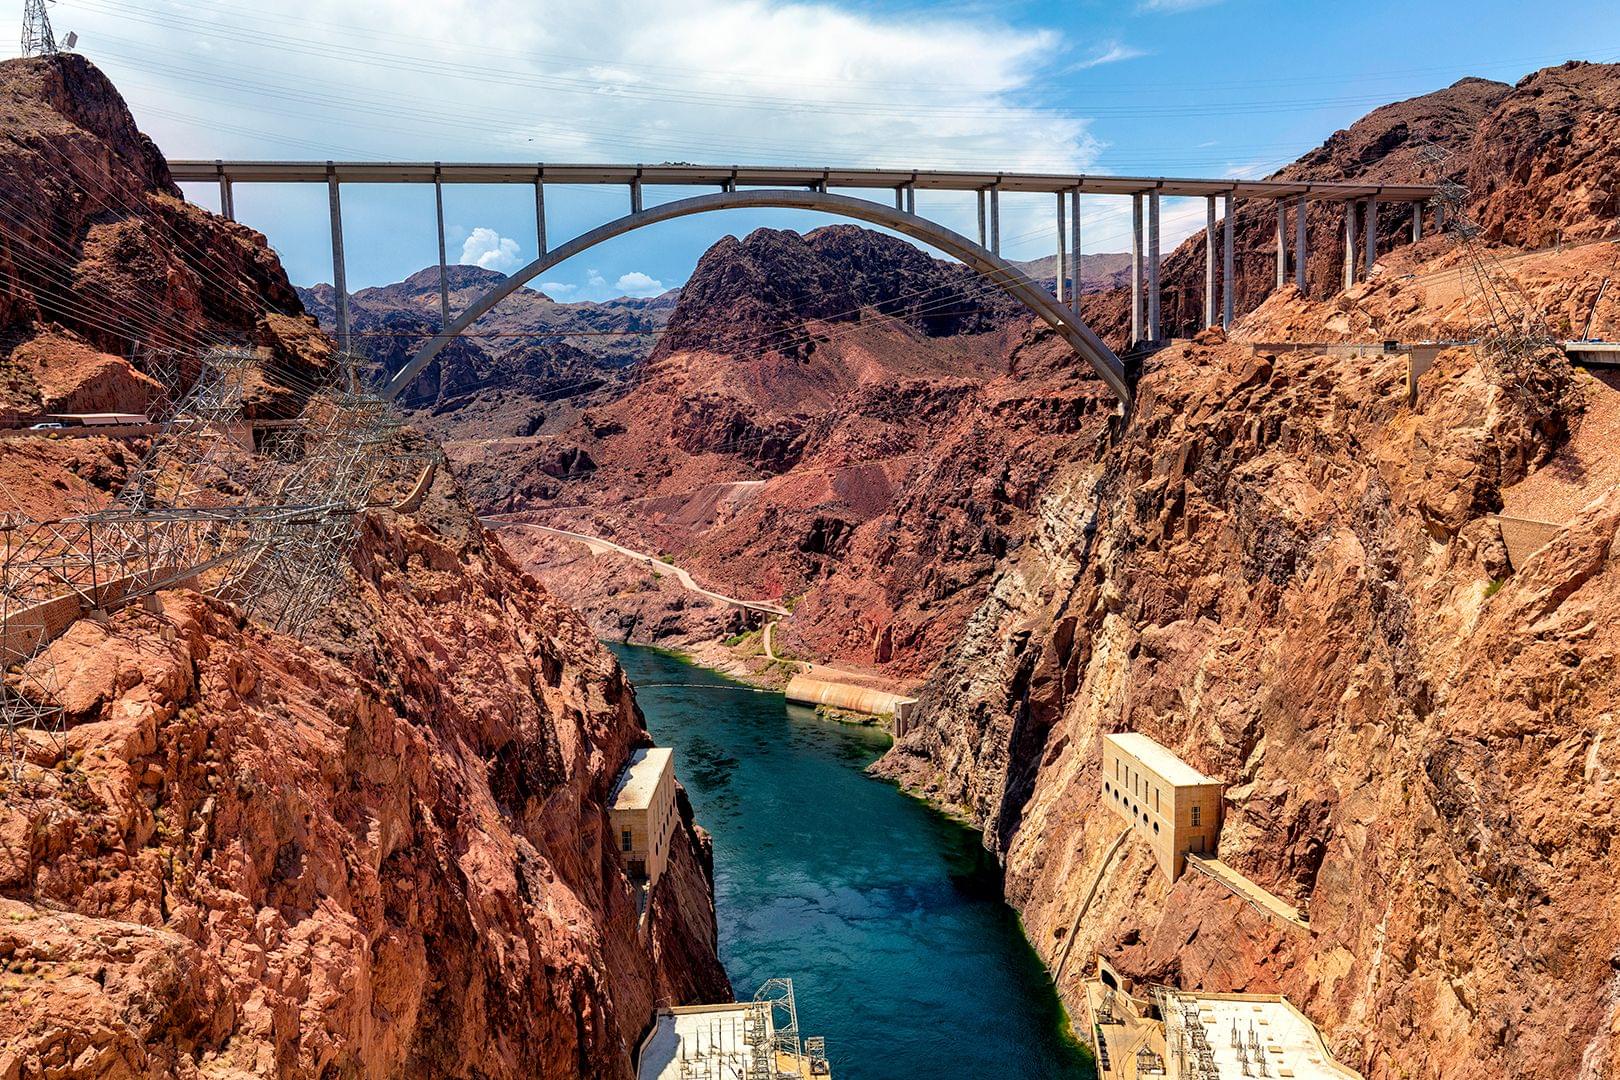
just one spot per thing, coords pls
(885, 914)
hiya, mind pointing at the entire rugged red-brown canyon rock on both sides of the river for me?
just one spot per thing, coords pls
(385, 849)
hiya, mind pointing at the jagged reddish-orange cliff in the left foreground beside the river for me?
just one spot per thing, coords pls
(383, 853)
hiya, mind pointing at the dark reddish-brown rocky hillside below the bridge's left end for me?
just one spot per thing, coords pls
(103, 260)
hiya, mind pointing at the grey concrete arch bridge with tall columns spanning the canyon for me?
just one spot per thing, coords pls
(811, 190)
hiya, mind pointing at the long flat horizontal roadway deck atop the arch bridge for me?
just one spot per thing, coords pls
(774, 177)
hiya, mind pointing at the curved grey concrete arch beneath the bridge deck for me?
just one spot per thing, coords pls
(991, 266)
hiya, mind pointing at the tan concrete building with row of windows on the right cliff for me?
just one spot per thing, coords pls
(1166, 801)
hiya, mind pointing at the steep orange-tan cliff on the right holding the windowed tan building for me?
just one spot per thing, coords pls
(1292, 580)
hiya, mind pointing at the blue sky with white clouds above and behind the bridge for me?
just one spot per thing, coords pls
(1193, 88)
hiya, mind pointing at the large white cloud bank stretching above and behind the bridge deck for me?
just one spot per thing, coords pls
(754, 82)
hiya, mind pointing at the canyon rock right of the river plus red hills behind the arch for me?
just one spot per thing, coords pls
(1274, 564)
